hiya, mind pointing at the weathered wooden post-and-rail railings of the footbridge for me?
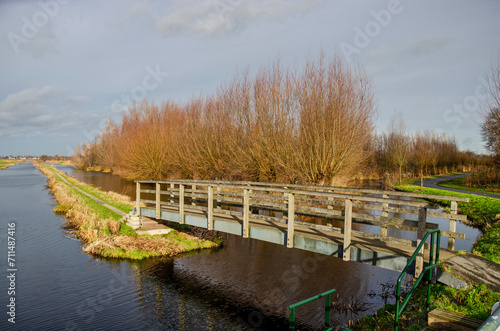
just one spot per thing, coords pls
(305, 205)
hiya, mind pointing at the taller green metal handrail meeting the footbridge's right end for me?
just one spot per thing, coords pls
(433, 263)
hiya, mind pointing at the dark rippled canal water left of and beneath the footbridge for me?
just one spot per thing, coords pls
(246, 285)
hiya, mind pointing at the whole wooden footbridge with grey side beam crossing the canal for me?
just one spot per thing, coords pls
(321, 219)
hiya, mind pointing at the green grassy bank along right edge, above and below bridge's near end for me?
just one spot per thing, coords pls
(483, 213)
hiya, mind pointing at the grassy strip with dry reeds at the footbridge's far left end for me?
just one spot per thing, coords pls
(101, 231)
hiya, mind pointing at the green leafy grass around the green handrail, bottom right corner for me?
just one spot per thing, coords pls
(475, 302)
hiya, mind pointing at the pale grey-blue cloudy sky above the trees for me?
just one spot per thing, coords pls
(66, 66)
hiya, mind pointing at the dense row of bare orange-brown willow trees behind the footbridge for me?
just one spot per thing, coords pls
(282, 124)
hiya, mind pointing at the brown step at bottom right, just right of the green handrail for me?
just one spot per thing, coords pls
(441, 319)
